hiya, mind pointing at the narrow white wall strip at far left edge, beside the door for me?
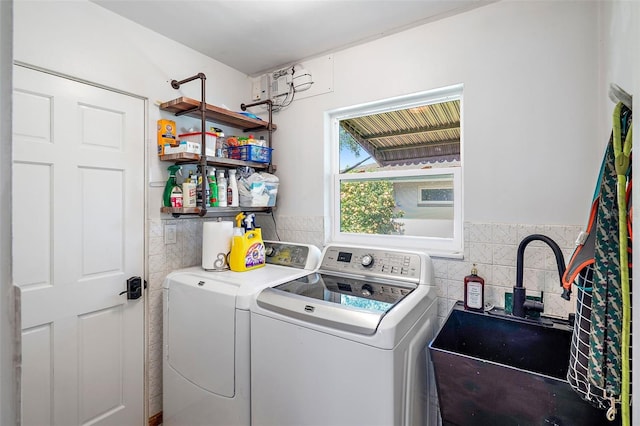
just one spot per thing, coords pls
(8, 346)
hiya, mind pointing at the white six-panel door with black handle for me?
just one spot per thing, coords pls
(78, 232)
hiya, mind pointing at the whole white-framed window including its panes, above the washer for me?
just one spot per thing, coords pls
(396, 172)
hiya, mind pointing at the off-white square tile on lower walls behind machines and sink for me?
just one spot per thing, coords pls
(491, 246)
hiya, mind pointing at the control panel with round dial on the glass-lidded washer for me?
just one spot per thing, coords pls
(390, 264)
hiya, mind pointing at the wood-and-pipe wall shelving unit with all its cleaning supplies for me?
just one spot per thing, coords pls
(206, 191)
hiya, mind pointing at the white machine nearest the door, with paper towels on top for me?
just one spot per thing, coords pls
(206, 331)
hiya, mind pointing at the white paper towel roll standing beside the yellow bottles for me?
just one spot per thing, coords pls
(216, 244)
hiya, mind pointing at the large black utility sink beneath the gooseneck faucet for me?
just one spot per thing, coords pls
(495, 369)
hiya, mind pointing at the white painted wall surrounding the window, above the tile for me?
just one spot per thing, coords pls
(530, 73)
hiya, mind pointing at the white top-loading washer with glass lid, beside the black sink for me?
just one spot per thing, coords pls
(346, 344)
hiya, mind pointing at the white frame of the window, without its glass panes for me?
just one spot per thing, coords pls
(446, 247)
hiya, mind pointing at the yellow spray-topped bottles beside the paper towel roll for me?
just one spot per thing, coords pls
(247, 248)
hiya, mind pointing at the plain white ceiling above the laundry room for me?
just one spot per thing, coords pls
(259, 36)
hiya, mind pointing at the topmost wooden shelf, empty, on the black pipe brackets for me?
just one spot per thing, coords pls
(190, 107)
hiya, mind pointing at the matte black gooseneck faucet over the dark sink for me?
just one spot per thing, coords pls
(520, 302)
